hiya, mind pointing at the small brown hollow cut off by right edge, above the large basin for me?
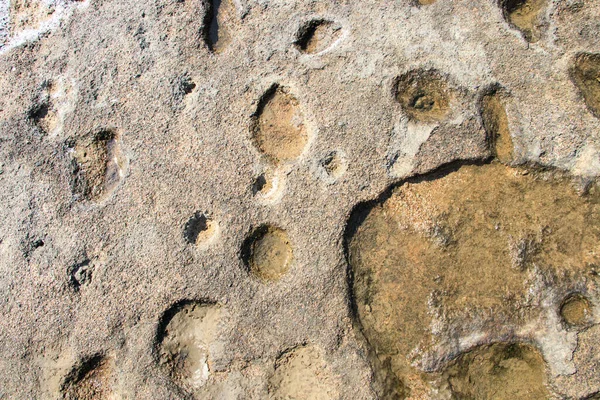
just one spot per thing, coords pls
(585, 73)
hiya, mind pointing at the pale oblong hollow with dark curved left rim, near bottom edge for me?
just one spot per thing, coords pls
(185, 335)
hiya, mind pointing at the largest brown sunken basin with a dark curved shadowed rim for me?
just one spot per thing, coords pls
(458, 242)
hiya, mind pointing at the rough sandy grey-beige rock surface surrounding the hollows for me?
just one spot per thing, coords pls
(183, 115)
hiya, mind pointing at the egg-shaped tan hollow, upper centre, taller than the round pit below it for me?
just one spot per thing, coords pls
(278, 128)
